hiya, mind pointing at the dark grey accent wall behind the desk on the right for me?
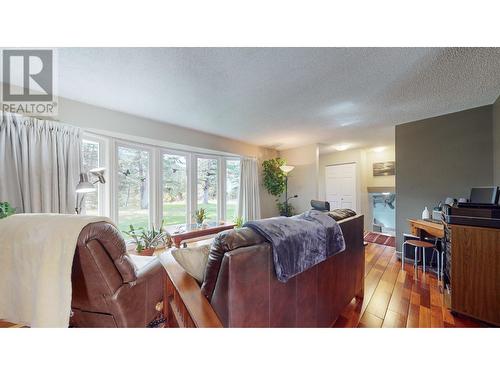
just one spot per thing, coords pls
(440, 157)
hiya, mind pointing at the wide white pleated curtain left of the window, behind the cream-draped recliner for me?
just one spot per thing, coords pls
(39, 164)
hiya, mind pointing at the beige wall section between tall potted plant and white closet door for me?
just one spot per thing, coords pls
(303, 180)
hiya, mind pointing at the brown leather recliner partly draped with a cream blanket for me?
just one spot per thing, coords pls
(108, 290)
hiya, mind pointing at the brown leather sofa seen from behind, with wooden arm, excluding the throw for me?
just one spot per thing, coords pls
(240, 288)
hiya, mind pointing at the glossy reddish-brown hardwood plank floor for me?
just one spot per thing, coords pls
(393, 297)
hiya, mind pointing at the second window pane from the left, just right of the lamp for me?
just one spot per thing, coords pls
(133, 187)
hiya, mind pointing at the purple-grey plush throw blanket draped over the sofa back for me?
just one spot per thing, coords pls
(300, 242)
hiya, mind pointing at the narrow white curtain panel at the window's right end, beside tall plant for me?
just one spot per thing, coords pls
(249, 197)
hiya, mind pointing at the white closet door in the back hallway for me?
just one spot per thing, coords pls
(341, 186)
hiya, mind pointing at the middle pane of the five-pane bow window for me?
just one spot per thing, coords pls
(174, 189)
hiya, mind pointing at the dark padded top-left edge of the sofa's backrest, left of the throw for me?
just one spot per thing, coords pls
(224, 242)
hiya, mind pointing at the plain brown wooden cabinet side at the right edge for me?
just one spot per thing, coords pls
(475, 272)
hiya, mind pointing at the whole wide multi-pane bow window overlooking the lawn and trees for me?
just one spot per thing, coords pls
(149, 184)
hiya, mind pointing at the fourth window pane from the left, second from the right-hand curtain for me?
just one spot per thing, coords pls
(207, 186)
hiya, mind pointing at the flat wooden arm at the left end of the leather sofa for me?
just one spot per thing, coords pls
(184, 303)
